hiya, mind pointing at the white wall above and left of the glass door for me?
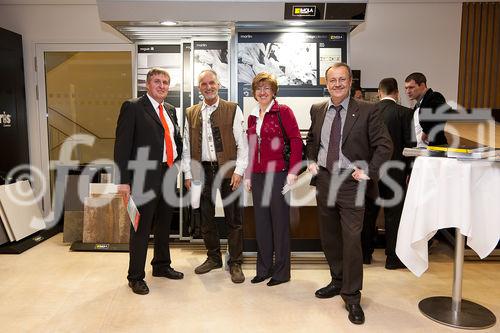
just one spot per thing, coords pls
(51, 24)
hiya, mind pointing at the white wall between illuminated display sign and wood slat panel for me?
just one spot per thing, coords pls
(398, 39)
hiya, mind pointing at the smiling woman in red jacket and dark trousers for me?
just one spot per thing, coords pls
(275, 149)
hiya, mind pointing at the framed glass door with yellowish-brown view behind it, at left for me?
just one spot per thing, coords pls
(81, 89)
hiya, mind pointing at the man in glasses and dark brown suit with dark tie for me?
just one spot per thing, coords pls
(346, 145)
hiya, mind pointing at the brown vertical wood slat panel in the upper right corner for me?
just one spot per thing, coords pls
(479, 55)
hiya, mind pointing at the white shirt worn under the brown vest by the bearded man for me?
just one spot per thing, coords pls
(208, 153)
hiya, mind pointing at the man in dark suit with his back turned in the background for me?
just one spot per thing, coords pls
(398, 120)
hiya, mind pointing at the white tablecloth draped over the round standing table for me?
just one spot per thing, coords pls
(446, 193)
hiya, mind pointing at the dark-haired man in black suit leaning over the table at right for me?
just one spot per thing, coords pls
(427, 131)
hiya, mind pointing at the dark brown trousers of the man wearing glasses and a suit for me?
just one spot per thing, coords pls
(340, 228)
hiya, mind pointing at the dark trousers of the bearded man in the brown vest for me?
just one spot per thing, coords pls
(233, 217)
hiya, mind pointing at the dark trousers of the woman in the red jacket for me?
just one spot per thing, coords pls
(272, 226)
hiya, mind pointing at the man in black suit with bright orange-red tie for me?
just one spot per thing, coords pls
(148, 142)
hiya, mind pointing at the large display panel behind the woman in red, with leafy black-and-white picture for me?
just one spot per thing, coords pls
(297, 60)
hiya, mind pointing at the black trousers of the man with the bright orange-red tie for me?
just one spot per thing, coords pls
(159, 213)
